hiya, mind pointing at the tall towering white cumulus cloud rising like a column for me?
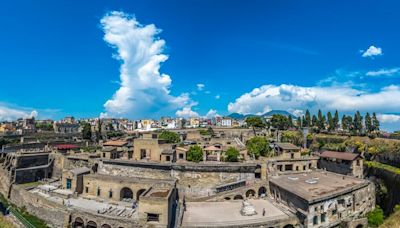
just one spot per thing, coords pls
(144, 90)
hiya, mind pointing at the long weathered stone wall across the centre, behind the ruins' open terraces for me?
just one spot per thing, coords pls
(195, 180)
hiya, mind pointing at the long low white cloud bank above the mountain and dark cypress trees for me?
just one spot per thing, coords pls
(292, 97)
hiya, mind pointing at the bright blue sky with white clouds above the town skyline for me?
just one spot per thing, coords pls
(251, 57)
